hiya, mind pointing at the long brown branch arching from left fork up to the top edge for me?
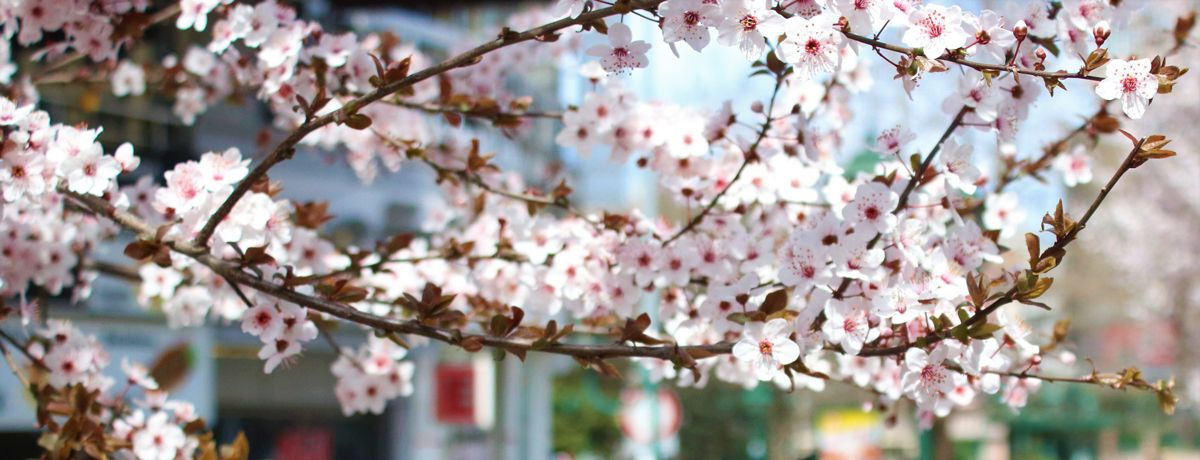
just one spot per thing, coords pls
(286, 150)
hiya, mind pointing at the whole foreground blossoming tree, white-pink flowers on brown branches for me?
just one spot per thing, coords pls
(787, 270)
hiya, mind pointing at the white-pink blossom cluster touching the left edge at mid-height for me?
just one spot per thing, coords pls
(39, 240)
